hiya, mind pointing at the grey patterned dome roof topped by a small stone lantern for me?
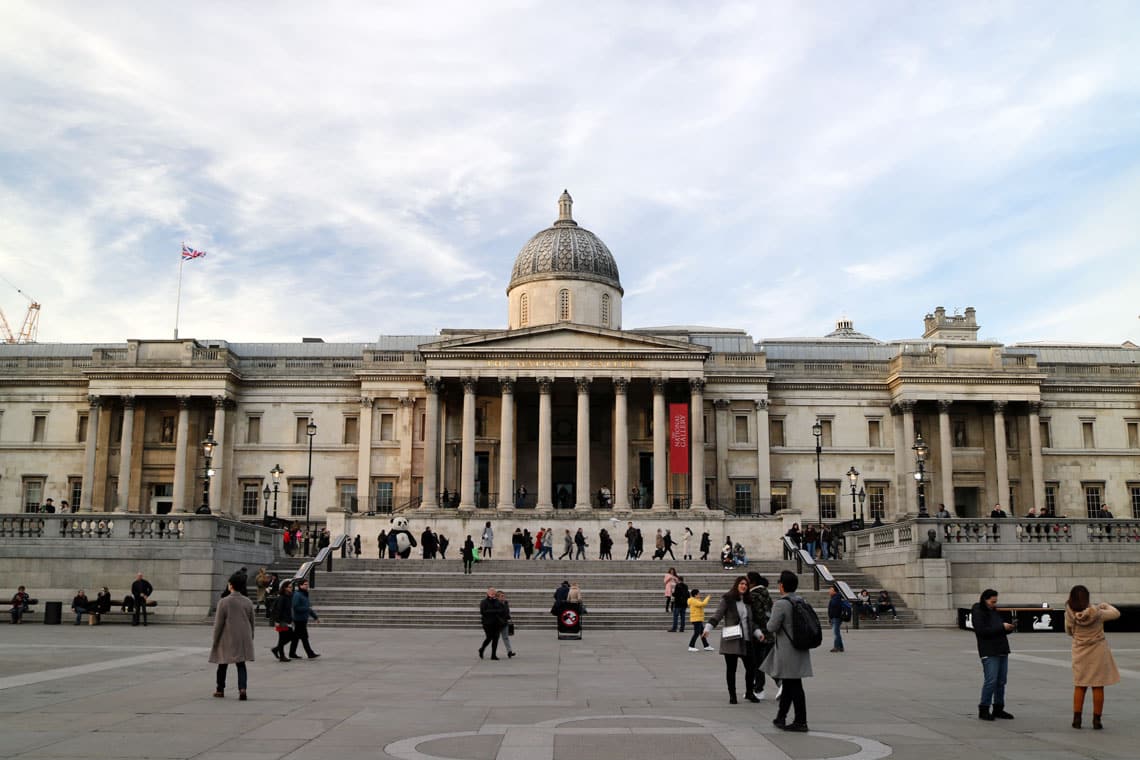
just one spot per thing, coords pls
(565, 251)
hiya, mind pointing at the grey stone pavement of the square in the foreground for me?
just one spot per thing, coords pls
(123, 692)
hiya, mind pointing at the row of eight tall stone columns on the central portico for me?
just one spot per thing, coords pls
(584, 491)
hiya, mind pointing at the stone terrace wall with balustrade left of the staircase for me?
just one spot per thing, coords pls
(186, 558)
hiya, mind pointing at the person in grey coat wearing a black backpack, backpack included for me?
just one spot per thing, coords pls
(791, 660)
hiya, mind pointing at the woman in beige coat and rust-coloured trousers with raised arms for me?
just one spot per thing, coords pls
(1093, 660)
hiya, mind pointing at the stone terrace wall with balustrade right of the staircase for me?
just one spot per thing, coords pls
(1029, 562)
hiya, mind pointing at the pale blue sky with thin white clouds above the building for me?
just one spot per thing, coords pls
(364, 169)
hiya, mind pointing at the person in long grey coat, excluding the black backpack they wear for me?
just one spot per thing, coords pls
(785, 661)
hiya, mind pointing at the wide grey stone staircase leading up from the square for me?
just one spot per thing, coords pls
(618, 594)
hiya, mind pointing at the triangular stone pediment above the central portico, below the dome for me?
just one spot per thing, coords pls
(563, 339)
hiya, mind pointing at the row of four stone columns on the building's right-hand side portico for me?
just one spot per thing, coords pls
(947, 456)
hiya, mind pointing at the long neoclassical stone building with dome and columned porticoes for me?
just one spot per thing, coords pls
(580, 412)
